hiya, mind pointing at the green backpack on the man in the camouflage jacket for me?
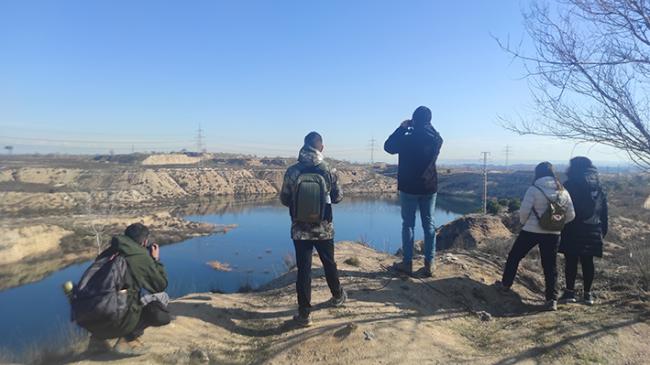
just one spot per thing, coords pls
(309, 198)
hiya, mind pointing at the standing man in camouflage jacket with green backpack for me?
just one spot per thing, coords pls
(309, 189)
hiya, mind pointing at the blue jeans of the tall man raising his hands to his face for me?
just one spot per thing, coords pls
(410, 204)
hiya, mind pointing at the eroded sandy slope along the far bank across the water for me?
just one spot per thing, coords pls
(37, 190)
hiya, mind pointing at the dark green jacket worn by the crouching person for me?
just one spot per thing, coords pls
(145, 273)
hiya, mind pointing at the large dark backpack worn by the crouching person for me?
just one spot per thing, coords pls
(99, 302)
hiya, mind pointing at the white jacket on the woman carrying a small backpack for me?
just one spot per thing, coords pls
(534, 198)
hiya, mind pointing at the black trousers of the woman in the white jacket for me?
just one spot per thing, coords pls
(548, 246)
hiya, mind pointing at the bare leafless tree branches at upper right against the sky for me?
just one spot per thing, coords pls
(590, 72)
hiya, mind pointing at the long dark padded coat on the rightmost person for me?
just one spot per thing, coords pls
(584, 235)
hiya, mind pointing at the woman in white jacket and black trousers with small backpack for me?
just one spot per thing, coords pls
(544, 211)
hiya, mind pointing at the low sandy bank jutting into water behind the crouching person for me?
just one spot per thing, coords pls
(31, 249)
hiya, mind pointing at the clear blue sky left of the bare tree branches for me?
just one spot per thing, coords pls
(88, 76)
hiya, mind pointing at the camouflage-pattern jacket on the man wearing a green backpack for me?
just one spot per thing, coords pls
(307, 158)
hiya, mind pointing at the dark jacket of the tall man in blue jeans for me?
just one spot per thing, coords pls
(418, 150)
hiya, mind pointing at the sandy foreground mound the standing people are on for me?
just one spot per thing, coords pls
(455, 317)
